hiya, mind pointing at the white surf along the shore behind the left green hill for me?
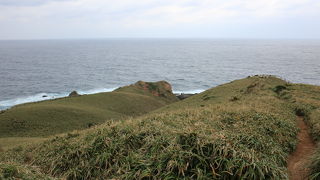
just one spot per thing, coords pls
(46, 96)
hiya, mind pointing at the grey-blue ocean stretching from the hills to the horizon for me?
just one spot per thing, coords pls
(35, 70)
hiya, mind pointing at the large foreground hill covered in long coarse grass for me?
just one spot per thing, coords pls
(242, 129)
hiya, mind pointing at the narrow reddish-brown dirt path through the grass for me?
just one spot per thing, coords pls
(297, 160)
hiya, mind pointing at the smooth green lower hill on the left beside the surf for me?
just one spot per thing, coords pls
(66, 114)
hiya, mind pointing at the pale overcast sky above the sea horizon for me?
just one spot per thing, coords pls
(51, 19)
